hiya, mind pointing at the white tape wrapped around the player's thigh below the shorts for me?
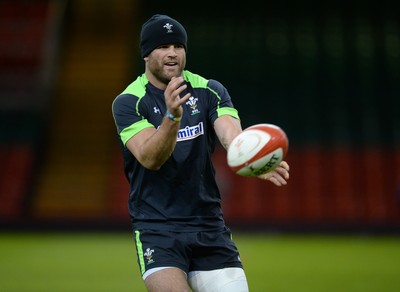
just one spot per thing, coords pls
(222, 280)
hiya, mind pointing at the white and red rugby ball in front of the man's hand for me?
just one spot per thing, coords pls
(258, 149)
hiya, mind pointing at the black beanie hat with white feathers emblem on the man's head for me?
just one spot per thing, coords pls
(161, 30)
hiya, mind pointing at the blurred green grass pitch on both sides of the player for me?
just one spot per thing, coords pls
(107, 262)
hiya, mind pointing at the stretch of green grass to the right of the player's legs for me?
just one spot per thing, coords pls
(321, 263)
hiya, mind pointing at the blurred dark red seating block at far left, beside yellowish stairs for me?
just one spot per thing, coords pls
(23, 34)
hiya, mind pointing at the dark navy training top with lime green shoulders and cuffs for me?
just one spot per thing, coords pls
(182, 195)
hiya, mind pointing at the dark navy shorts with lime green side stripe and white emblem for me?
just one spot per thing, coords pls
(188, 251)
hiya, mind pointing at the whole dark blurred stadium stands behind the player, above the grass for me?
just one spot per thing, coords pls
(327, 72)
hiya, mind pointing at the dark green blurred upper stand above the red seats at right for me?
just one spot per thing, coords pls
(326, 71)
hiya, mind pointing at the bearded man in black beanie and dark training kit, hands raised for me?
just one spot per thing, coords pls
(168, 121)
